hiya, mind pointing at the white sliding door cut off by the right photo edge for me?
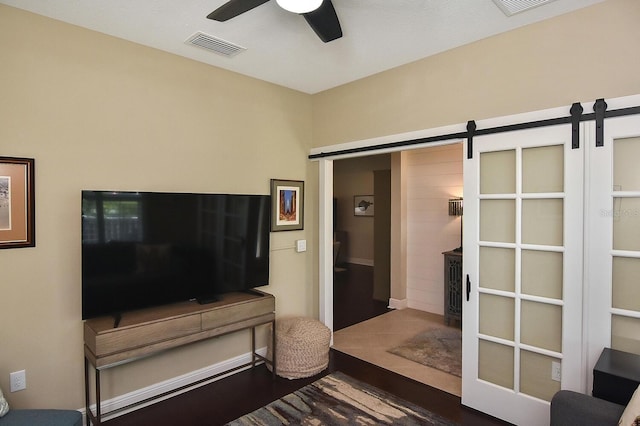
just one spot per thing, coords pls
(613, 224)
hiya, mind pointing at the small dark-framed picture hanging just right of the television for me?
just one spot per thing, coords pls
(287, 205)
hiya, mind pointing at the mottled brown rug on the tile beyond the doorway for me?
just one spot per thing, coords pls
(439, 348)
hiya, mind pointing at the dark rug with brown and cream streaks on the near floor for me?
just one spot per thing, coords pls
(338, 399)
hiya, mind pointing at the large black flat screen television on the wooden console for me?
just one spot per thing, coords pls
(143, 249)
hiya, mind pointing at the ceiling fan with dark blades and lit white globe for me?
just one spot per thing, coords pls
(320, 15)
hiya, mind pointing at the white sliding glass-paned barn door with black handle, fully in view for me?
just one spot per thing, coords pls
(522, 318)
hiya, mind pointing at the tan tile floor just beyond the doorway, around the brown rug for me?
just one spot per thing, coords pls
(370, 340)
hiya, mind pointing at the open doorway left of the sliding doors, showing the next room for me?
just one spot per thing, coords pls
(433, 176)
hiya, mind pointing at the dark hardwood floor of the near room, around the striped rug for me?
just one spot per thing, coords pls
(241, 393)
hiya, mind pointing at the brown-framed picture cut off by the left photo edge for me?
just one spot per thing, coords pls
(17, 203)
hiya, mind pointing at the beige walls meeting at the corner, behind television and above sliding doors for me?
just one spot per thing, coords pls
(98, 112)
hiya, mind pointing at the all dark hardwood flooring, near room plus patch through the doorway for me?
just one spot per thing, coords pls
(227, 399)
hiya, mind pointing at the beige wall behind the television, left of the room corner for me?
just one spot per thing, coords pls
(97, 112)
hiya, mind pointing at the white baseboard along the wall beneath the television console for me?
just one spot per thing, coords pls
(184, 383)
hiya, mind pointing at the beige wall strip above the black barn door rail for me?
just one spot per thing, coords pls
(581, 56)
